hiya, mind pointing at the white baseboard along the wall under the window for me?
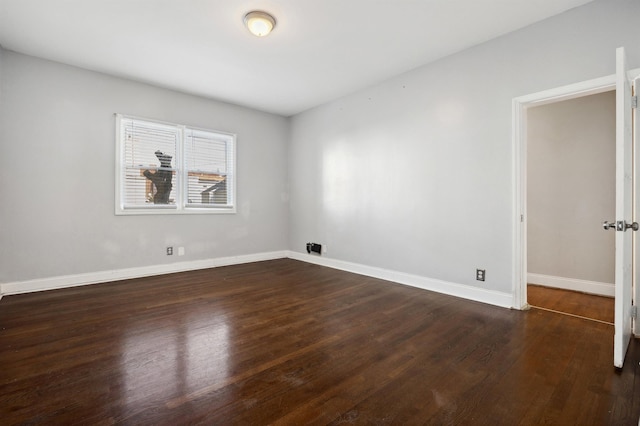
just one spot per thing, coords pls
(53, 283)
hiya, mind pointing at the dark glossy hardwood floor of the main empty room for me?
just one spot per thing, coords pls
(289, 343)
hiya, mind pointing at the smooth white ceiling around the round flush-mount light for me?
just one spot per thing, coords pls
(320, 50)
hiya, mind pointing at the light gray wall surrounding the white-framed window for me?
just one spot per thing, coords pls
(57, 162)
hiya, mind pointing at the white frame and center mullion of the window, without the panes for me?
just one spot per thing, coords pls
(181, 205)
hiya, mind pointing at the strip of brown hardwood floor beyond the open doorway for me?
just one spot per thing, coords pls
(589, 306)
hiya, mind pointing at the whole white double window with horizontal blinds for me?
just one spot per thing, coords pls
(168, 168)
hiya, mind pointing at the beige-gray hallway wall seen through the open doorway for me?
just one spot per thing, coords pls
(571, 188)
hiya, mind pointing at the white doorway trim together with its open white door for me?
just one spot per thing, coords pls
(627, 205)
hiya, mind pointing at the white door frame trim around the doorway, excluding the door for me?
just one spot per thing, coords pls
(519, 170)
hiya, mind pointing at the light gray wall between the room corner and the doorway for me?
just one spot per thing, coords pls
(415, 174)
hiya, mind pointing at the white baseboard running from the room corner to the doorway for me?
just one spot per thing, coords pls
(491, 297)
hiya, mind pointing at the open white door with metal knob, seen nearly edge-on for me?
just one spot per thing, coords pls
(624, 211)
